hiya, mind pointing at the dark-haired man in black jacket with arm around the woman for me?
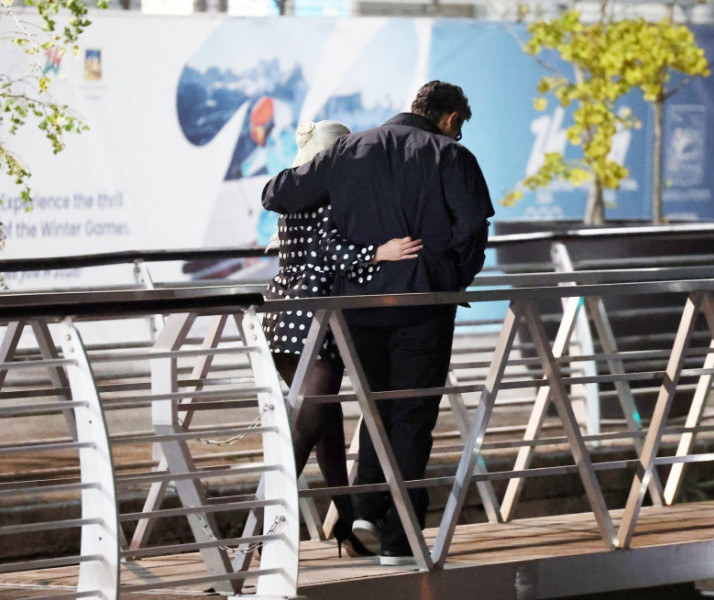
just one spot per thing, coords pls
(406, 178)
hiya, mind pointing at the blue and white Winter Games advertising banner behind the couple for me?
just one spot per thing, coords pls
(189, 117)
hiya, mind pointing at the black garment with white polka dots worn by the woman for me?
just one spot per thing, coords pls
(311, 253)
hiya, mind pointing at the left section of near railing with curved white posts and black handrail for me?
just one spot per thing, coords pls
(160, 424)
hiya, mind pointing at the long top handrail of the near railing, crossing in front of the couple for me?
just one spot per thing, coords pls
(224, 298)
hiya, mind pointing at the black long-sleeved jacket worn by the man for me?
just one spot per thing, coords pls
(403, 178)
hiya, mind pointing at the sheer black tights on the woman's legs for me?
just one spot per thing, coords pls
(320, 426)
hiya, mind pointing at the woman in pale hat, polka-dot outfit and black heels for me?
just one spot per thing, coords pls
(310, 253)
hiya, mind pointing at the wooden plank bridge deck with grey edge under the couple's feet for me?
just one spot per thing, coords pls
(538, 558)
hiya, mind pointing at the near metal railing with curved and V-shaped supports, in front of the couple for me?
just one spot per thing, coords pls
(173, 398)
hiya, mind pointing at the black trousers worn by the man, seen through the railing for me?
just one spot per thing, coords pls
(394, 358)
